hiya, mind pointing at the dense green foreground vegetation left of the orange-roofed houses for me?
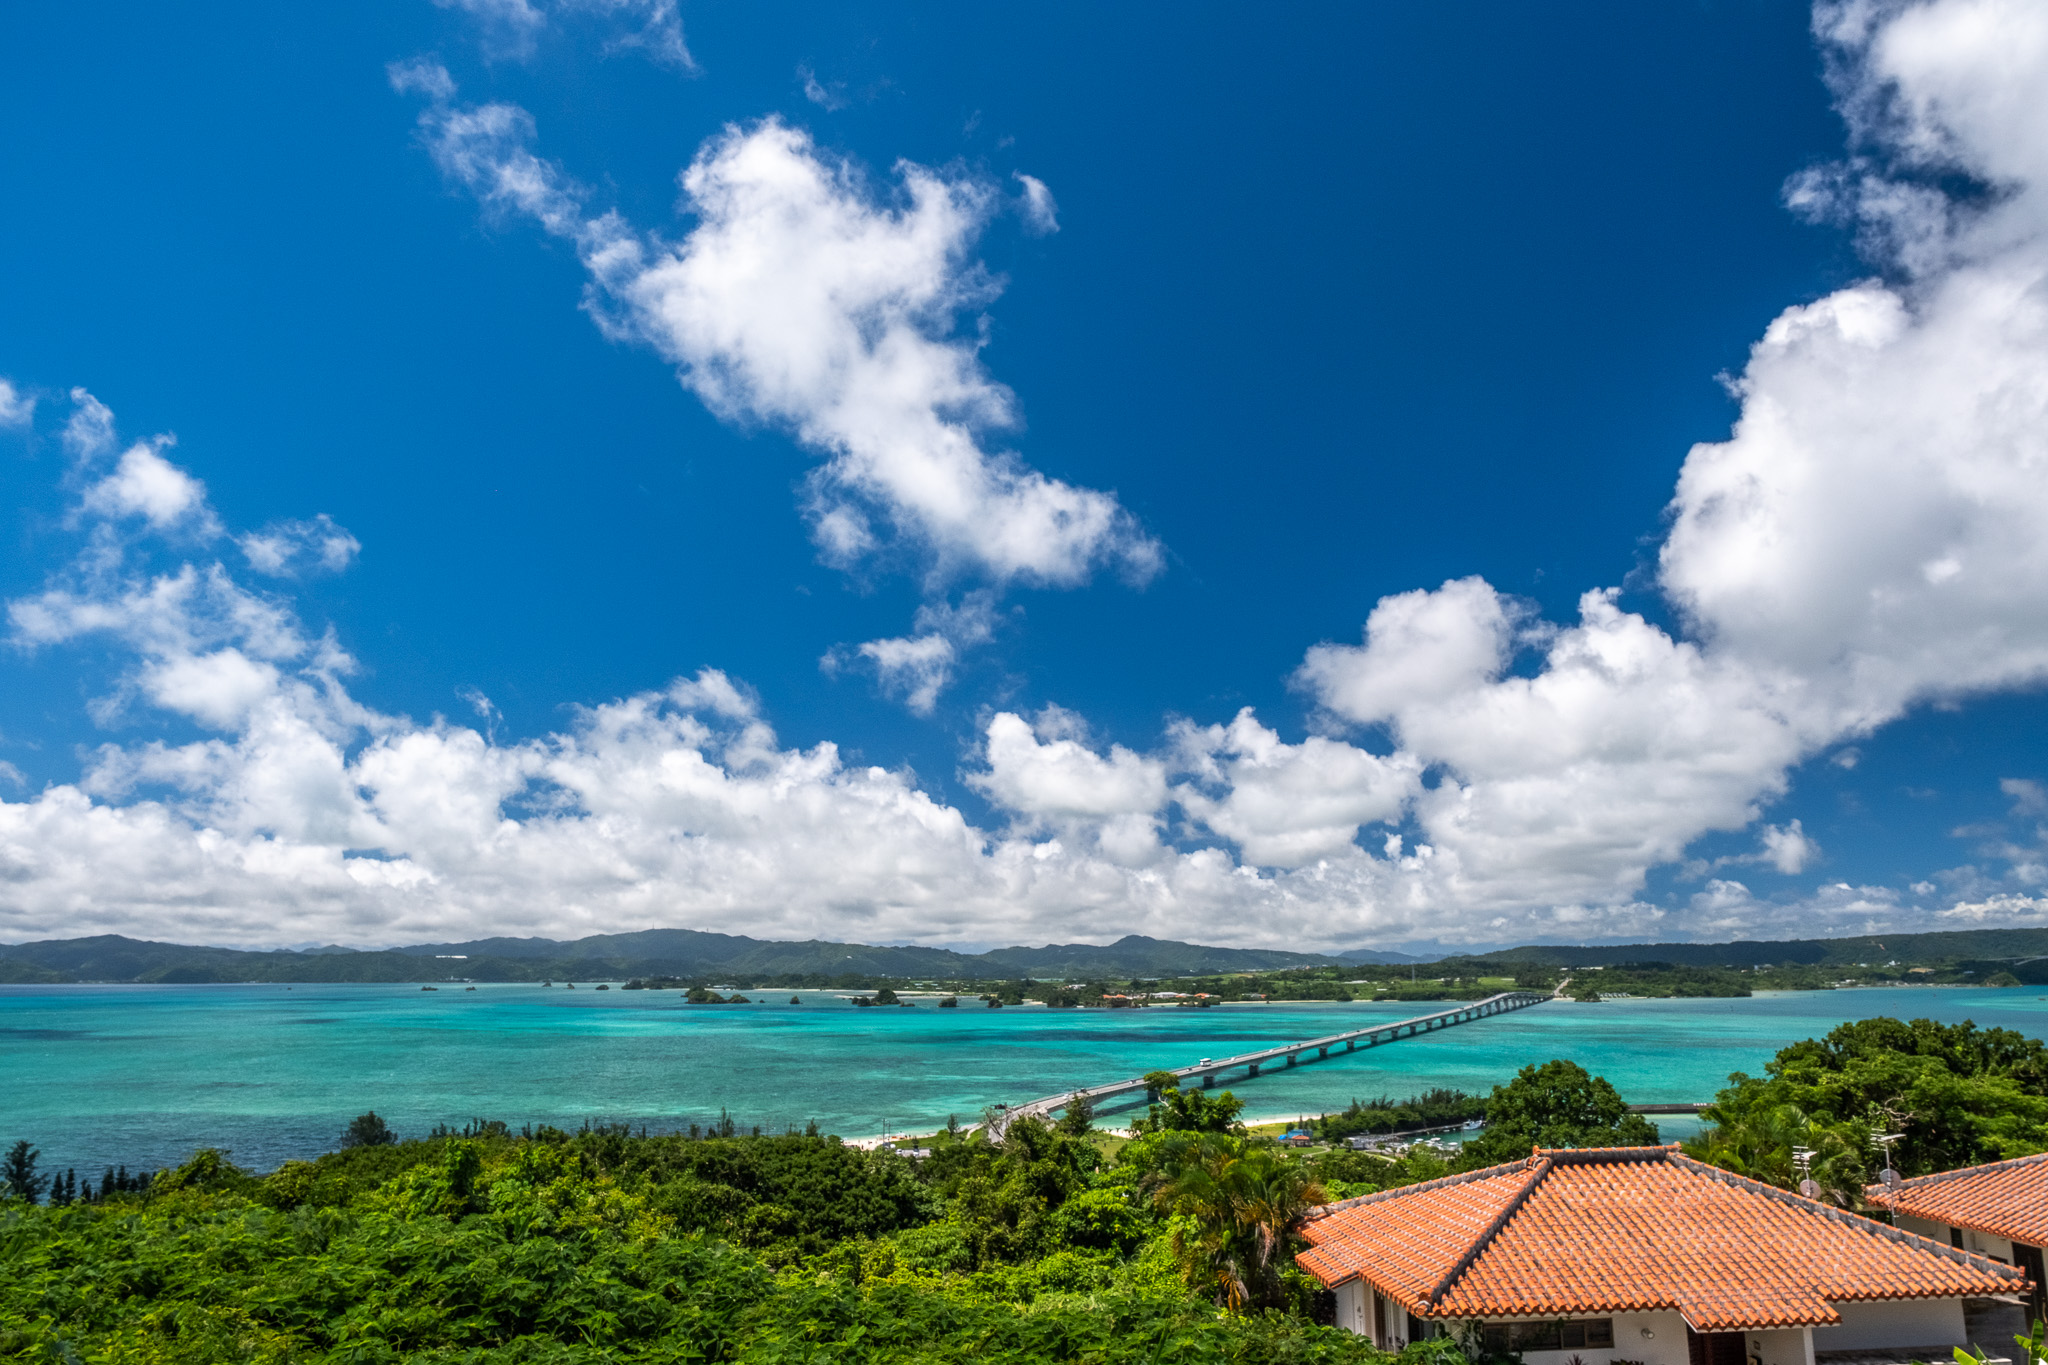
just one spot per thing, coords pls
(613, 1247)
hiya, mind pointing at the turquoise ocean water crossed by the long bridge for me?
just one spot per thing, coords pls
(144, 1075)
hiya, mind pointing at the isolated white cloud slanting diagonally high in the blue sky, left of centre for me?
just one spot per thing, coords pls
(808, 300)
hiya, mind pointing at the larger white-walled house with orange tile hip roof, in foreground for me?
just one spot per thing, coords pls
(1650, 1258)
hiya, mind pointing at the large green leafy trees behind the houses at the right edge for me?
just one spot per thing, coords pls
(1955, 1094)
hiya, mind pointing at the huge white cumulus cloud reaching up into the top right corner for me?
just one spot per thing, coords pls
(1871, 537)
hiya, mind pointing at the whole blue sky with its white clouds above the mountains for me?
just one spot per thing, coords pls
(1324, 308)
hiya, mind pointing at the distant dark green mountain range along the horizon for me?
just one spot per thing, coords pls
(693, 955)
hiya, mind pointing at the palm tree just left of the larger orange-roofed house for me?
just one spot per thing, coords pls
(1238, 1206)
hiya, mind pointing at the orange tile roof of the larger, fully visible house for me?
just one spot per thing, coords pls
(1629, 1231)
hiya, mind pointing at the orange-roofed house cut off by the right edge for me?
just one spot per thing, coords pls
(1998, 1210)
